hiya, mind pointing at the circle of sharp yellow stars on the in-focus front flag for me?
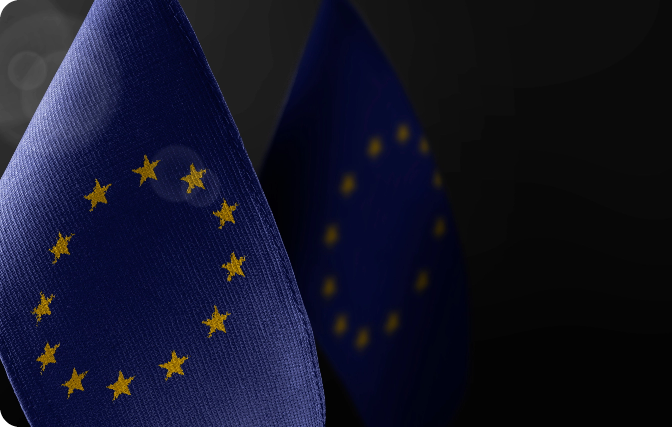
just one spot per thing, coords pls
(216, 322)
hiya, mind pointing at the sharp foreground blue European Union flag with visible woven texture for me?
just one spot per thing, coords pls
(143, 281)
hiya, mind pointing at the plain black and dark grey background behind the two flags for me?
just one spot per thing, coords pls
(547, 120)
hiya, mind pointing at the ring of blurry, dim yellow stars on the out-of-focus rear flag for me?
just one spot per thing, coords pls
(348, 186)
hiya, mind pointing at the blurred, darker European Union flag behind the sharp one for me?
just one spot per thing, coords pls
(365, 220)
